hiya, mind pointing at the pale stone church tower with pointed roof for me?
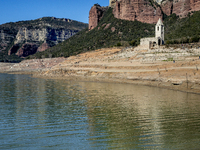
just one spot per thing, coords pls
(159, 31)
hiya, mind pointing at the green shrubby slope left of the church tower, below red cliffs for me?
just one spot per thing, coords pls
(109, 32)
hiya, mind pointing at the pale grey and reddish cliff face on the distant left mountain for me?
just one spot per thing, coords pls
(33, 37)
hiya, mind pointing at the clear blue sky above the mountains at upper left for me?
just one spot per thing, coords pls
(18, 10)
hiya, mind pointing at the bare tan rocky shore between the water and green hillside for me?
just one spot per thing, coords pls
(172, 68)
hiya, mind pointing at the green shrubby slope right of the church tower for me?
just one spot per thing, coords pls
(185, 30)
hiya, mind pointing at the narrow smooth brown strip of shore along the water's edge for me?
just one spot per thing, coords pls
(188, 87)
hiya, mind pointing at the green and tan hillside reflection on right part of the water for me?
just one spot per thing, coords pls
(133, 115)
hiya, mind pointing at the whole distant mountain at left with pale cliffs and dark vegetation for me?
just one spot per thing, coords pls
(20, 39)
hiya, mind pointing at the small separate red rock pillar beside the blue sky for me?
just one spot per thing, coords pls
(96, 13)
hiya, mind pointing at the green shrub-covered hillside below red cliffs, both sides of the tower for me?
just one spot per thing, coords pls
(116, 32)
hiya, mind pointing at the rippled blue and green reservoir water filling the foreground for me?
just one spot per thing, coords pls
(59, 114)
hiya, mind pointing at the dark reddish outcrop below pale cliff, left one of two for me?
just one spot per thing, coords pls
(27, 49)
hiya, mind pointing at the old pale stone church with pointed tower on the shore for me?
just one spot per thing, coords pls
(154, 41)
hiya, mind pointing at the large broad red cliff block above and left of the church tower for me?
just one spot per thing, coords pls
(140, 10)
